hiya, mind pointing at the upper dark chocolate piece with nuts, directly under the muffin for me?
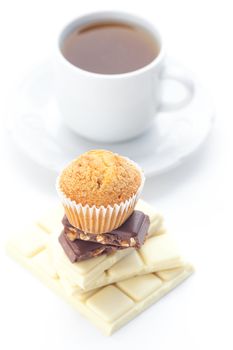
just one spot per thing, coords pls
(131, 234)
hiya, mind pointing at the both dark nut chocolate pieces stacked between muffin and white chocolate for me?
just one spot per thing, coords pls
(79, 245)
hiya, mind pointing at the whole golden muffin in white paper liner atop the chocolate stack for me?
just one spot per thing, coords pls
(99, 190)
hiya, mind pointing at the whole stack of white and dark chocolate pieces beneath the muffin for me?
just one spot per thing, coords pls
(112, 289)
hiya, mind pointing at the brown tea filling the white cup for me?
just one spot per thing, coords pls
(110, 47)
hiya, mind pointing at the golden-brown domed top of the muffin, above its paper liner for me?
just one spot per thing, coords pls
(100, 177)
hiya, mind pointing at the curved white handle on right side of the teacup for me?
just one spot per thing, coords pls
(172, 73)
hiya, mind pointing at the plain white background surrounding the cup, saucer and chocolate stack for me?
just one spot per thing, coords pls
(195, 198)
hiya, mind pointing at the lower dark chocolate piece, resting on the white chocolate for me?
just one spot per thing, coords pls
(79, 250)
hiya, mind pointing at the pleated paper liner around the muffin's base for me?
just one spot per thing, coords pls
(97, 220)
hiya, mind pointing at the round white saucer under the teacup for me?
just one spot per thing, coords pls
(35, 125)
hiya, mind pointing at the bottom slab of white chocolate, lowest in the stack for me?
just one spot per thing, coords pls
(131, 296)
